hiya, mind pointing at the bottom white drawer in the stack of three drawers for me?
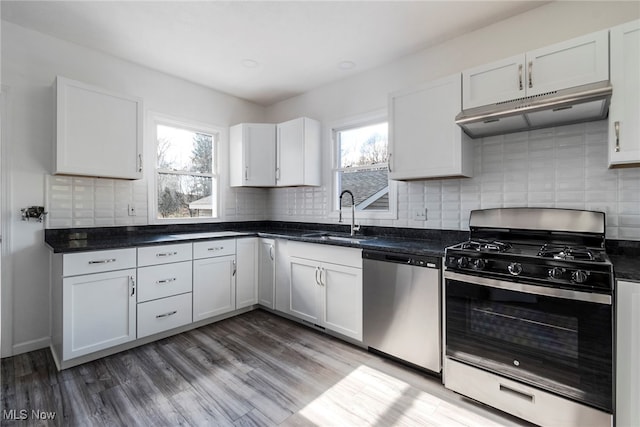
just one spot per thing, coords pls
(164, 314)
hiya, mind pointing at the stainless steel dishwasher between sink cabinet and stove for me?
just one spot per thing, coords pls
(402, 307)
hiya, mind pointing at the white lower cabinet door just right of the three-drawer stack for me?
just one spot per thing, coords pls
(214, 286)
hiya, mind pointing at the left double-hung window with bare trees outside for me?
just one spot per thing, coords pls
(185, 172)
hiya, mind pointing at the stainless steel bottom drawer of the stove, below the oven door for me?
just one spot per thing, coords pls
(522, 401)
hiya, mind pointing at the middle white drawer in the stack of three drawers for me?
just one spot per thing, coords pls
(160, 281)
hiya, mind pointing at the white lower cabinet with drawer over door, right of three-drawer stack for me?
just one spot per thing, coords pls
(214, 278)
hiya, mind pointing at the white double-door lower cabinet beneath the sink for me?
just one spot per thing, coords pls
(325, 293)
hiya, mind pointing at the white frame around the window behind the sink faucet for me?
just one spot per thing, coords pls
(352, 122)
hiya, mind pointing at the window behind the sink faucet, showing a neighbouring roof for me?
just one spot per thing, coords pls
(361, 166)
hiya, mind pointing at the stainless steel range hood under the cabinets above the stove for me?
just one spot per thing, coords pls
(575, 105)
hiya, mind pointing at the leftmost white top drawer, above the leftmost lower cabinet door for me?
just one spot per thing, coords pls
(98, 261)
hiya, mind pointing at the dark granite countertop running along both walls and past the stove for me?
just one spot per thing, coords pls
(625, 255)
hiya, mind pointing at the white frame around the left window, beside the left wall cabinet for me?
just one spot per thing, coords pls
(218, 133)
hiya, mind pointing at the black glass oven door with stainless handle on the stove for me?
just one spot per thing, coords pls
(558, 340)
